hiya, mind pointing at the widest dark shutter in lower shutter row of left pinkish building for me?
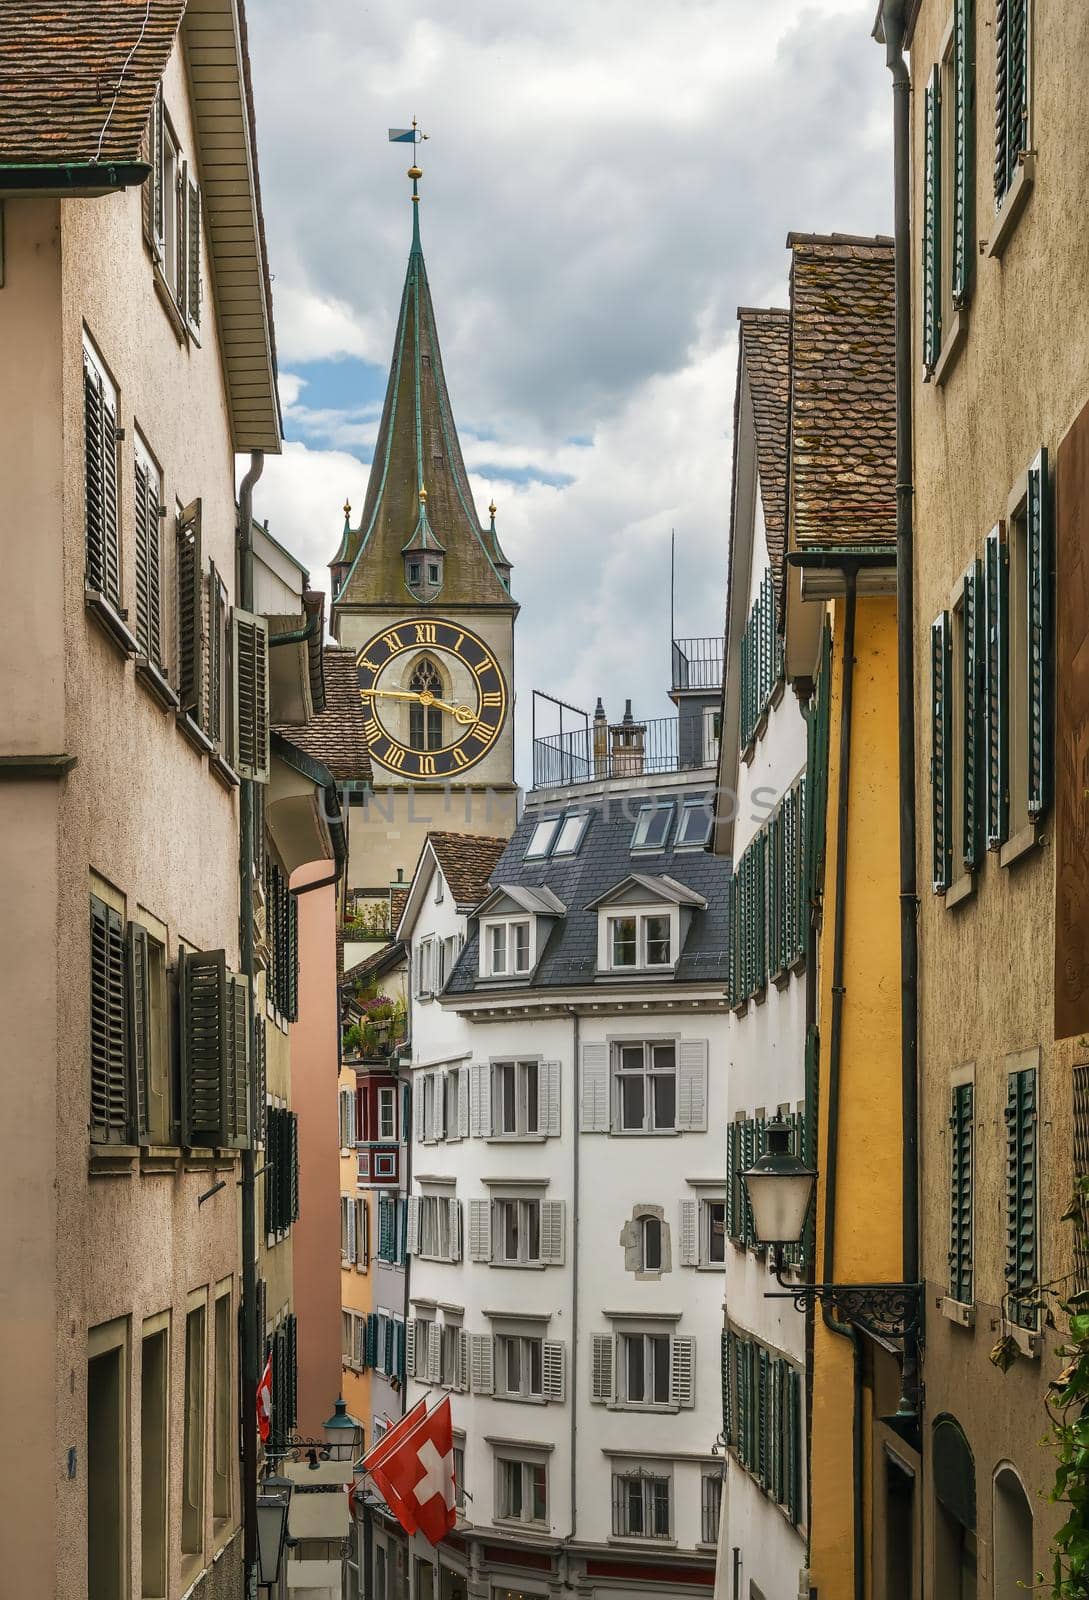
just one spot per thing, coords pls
(204, 1047)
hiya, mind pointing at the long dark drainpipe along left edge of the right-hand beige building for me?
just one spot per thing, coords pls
(893, 28)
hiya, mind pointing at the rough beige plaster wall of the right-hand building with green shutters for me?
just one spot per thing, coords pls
(987, 980)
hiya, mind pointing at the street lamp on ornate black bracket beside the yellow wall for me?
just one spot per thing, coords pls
(780, 1191)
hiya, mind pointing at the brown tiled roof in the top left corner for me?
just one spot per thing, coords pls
(78, 78)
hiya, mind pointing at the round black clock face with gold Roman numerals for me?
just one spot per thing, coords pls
(434, 695)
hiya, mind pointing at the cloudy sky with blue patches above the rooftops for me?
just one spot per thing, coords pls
(604, 185)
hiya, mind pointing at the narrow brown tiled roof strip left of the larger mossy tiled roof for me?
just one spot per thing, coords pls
(765, 348)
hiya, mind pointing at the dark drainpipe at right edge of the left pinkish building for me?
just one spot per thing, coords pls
(250, 1332)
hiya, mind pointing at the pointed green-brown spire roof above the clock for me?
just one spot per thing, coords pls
(418, 495)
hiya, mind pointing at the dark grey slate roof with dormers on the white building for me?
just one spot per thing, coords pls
(605, 860)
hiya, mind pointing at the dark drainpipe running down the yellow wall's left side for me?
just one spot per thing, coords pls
(836, 1054)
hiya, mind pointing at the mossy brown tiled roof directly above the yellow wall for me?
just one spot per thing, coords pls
(842, 393)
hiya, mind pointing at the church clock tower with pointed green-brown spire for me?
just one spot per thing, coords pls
(421, 599)
